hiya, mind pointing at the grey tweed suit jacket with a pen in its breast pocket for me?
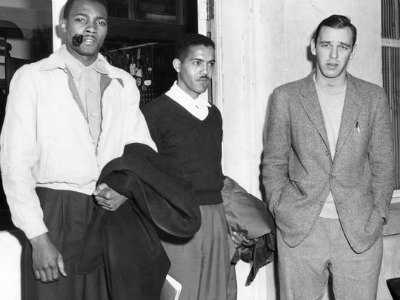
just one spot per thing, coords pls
(299, 171)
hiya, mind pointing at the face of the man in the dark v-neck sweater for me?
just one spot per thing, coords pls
(195, 72)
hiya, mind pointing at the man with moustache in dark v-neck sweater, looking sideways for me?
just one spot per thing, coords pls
(187, 130)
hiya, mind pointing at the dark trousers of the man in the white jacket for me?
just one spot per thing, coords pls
(66, 215)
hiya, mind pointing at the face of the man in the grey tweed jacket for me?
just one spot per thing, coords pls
(333, 49)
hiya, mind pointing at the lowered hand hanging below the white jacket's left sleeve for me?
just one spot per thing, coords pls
(47, 261)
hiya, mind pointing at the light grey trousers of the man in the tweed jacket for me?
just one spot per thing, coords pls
(304, 270)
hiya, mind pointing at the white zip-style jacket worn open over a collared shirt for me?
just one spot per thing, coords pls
(45, 140)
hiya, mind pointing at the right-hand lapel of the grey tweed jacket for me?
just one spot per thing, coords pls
(351, 109)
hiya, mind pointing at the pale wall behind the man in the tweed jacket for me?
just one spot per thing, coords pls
(262, 44)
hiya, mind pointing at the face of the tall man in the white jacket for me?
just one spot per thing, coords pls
(88, 19)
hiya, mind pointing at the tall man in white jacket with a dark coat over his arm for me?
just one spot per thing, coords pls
(66, 117)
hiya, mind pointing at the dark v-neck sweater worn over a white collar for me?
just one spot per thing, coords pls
(191, 147)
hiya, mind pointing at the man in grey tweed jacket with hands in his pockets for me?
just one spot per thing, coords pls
(328, 173)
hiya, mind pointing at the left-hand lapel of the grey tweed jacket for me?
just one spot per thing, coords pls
(312, 107)
